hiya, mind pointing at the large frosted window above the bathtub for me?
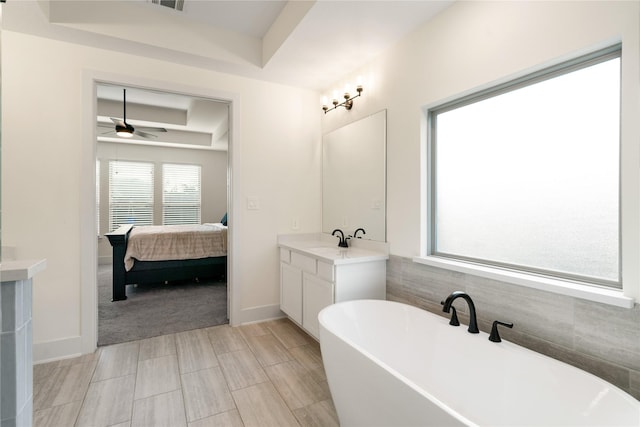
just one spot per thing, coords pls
(526, 175)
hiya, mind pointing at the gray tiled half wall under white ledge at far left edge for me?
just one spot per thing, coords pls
(16, 366)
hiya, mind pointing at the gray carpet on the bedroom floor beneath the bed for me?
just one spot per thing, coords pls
(158, 309)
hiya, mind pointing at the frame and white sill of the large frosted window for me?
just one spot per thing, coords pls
(575, 286)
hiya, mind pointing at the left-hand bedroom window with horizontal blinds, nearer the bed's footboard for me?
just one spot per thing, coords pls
(130, 193)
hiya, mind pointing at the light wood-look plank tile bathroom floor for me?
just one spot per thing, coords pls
(264, 374)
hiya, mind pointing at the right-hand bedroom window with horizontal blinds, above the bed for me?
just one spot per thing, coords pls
(181, 198)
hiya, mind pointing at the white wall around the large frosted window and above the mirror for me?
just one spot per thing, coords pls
(472, 45)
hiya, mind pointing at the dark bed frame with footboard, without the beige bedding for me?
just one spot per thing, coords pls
(144, 272)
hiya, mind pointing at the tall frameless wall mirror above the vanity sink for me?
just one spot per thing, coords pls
(354, 178)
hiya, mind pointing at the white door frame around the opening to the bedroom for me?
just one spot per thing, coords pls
(87, 214)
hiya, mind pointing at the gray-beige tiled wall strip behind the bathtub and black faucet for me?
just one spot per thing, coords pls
(598, 338)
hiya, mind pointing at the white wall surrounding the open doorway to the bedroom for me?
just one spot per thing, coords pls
(49, 155)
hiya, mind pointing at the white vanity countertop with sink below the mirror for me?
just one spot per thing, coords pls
(327, 249)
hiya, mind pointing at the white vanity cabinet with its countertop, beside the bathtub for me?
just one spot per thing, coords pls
(309, 282)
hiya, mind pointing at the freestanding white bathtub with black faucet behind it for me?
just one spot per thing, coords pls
(391, 364)
